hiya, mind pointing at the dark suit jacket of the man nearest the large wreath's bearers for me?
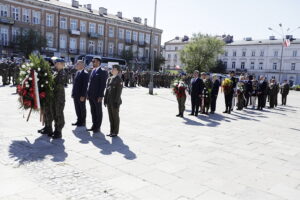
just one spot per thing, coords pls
(80, 84)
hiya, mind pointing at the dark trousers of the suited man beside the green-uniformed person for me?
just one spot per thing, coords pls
(97, 114)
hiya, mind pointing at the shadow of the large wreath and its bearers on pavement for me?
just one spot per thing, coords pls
(24, 151)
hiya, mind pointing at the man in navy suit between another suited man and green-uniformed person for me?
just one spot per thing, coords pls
(95, 93)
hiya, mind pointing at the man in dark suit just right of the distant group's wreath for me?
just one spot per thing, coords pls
(197, 86)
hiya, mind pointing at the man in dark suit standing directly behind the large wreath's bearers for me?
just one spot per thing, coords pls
(79, 90)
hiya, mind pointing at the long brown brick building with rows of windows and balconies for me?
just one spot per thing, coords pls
(72, 29)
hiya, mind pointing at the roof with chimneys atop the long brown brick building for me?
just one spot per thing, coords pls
(93, 12)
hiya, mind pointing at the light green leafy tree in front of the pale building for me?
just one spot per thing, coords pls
(201, 53)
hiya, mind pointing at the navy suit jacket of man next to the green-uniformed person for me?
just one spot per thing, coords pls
(97, 84)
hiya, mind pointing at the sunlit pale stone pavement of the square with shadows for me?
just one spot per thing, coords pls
(248, 155)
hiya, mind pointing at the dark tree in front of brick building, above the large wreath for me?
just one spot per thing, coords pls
(30, 41)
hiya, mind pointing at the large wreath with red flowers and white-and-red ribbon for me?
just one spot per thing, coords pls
(35, 87)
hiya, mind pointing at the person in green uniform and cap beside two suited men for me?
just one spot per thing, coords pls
(112, 100)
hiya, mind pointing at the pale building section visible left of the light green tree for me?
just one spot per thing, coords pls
(171, 52)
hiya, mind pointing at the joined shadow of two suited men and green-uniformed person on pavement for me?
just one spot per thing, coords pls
(107, 148)
